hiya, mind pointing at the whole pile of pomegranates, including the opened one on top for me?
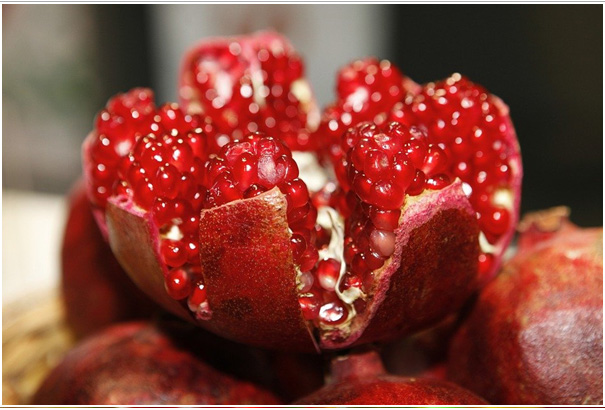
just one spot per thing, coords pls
(322, 235)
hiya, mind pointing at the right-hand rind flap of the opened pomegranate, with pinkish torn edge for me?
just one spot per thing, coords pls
(430, 275)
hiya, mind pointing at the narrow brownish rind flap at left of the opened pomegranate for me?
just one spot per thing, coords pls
(134, 240)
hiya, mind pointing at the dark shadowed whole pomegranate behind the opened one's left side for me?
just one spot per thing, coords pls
(96, 290)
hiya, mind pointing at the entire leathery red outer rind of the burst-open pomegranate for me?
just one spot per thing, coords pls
(251, 280)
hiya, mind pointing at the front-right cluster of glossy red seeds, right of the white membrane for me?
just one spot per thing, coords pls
(385, 165)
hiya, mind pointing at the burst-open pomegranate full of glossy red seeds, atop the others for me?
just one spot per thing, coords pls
(225, 233)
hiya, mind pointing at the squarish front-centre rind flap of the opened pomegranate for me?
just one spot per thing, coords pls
(249, 273)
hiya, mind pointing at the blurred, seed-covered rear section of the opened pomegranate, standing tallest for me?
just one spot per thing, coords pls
(248, 84)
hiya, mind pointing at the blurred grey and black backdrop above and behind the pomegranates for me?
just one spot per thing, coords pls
(62, 62)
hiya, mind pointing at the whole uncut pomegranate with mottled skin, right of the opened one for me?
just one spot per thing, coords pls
(535, 335)
